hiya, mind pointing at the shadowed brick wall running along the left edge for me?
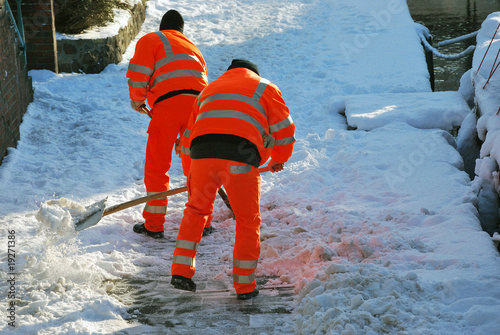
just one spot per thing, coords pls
(16, 90)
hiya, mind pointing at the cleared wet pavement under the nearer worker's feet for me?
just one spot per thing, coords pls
(213, 309)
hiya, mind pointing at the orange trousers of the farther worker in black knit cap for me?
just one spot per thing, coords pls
(169, 119)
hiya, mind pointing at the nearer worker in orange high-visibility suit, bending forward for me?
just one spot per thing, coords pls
(238, 122)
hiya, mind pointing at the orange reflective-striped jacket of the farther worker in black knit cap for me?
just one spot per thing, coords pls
(165, 61)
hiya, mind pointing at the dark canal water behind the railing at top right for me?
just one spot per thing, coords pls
(447, 19)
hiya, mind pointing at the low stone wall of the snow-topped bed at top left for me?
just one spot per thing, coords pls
(92, 56)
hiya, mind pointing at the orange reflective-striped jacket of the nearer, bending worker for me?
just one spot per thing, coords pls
(244, 104)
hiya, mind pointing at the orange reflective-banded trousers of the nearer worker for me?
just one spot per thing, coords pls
(242, 184)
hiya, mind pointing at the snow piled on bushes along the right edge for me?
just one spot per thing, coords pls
(482, 84)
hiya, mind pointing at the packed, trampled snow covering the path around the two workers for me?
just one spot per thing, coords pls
(376, 227)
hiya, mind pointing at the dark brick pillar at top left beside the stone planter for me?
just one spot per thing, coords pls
(39, 30)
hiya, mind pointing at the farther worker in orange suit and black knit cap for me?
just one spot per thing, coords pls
(168, 71)
